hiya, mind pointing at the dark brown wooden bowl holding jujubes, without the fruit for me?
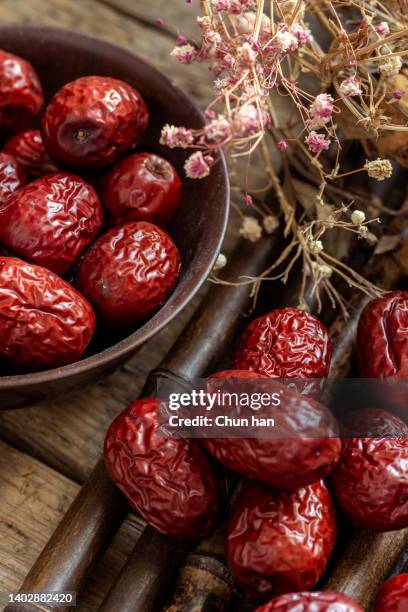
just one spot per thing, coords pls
(60, 56)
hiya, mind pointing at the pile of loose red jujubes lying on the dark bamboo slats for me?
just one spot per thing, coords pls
(281, 529)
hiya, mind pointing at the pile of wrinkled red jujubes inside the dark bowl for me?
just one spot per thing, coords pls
(82, 216)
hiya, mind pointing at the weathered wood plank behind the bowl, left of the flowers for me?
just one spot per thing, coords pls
(97, 19)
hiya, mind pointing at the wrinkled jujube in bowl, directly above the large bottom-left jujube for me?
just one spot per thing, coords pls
(51, 221)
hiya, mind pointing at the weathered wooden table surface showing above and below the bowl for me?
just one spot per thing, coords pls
(48, 450)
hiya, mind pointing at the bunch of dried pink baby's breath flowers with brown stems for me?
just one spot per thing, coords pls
(258, 52)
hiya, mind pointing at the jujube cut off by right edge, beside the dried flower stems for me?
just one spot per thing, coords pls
(382, 339)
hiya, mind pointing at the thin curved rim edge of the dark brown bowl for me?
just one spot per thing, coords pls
(128, 345)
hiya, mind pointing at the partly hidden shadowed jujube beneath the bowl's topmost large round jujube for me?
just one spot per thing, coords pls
(28, 149)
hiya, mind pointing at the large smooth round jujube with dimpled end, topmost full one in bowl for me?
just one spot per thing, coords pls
(92, 120)
